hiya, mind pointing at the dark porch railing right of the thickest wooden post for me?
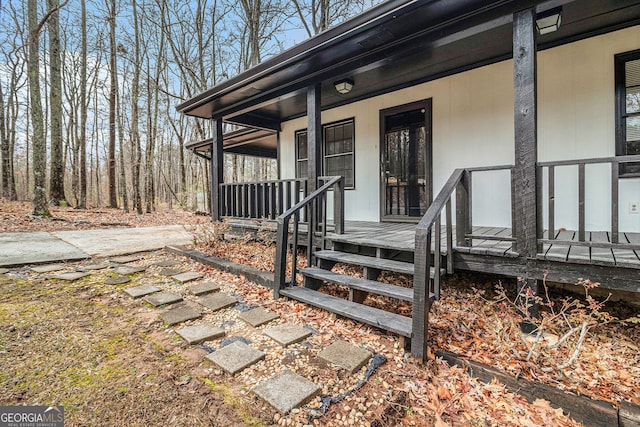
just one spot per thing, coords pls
(615, 166)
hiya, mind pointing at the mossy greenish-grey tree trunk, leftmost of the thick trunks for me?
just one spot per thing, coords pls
(39, 144)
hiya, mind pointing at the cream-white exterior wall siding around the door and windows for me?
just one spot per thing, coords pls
(473, 125)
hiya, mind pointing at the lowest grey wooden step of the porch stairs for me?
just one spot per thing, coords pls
(372, 316)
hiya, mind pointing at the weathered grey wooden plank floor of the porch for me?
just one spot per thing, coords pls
(401, 236)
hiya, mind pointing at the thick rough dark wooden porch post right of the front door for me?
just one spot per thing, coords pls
(526, 145)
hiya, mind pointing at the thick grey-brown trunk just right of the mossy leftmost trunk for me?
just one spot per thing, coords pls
(56, 177)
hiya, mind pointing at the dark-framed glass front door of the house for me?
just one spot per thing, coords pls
(406, 187)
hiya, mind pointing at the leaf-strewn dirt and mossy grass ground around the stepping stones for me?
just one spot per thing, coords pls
(110, 361)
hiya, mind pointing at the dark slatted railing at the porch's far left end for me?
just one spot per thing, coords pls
(261, 200)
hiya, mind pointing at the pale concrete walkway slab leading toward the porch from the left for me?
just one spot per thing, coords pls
(41, 246)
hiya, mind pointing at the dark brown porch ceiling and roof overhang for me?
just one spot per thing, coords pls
(395, 45)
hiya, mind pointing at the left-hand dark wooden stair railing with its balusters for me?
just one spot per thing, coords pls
(315, 205)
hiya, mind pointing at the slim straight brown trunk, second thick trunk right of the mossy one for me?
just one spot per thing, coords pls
(111, 161)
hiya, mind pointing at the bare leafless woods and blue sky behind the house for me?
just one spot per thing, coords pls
(88, 90)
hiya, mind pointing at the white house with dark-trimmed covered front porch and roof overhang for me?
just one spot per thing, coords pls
(490, 123)
